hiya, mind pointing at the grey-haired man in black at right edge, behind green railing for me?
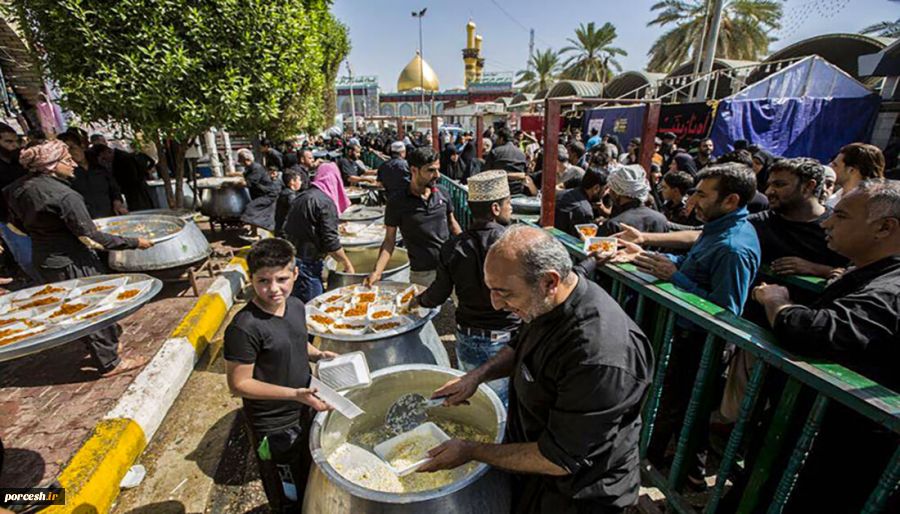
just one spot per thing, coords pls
(856, 322)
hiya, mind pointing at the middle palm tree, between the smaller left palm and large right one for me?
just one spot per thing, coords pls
(592, 56)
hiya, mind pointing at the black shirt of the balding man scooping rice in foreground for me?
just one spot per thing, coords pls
(581, 371)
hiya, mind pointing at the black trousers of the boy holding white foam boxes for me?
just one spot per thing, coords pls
(290, 462)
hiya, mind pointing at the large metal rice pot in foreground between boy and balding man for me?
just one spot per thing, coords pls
(485, 490)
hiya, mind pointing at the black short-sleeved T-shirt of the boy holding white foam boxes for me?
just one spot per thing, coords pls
(276, 346)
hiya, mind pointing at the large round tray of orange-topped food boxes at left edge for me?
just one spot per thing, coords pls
(41, 317)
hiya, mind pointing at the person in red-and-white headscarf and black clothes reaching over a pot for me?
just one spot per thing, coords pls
(62, 236)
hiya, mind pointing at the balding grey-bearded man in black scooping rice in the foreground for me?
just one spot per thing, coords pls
(579, 368)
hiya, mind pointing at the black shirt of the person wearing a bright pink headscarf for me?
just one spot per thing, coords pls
(312, 224)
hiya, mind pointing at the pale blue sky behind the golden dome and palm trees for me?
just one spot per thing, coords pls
(385, 36)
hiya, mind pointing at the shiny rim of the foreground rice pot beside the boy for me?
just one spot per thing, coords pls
(481, 468)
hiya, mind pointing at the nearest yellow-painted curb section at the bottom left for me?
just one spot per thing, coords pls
(91, 479)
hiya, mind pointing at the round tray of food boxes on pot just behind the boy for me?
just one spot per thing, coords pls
(345, 314)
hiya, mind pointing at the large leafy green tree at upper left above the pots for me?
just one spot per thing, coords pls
(171, 69)
